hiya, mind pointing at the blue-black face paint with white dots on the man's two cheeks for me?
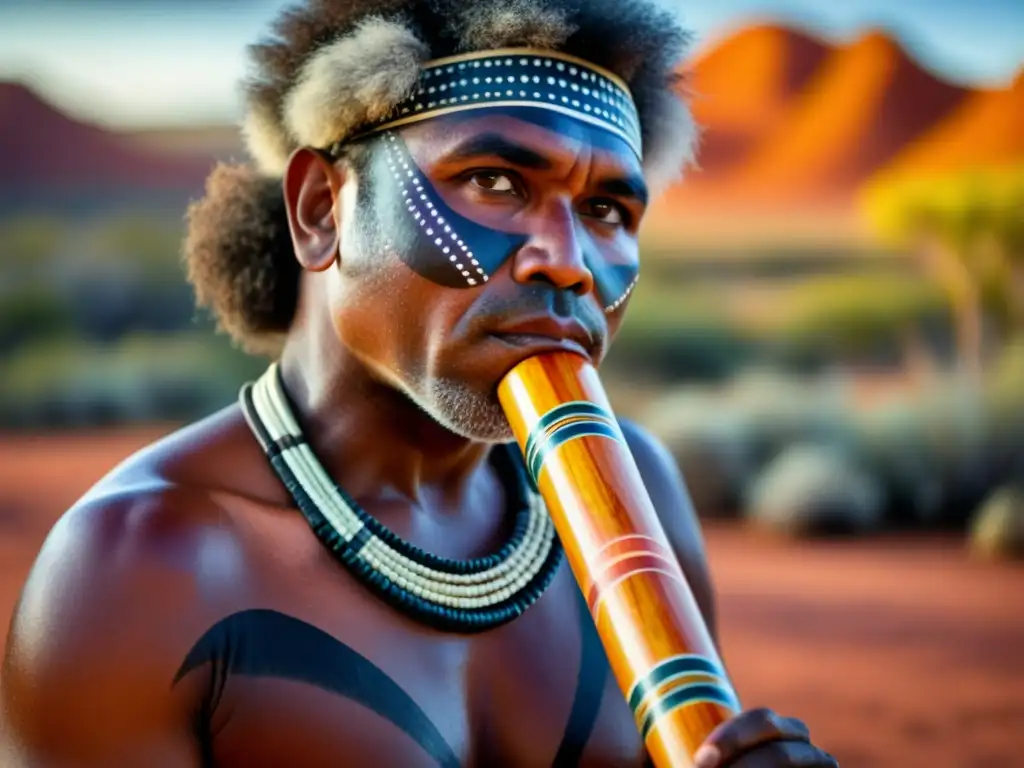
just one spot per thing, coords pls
(452, 250)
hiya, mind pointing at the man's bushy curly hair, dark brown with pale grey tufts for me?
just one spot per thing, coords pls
(331, 67)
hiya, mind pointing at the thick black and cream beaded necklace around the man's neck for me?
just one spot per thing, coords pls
(450, 595)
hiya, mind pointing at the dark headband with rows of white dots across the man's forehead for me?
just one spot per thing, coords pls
(520, 77)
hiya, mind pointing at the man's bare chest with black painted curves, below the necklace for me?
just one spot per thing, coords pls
(290, 692)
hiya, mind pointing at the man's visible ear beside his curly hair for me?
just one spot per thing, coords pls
(312, 186)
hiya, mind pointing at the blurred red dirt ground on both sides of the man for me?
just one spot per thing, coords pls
(902, 654)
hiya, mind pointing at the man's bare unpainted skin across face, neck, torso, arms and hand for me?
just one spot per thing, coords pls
(394, 377)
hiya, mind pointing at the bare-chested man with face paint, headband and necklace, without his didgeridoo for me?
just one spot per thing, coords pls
(351, 568)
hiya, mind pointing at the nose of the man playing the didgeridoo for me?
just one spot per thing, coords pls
(554, 252)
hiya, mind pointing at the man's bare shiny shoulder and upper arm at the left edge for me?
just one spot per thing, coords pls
(111, 607)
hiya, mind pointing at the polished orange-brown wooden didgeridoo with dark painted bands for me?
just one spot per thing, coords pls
(654, 634)
